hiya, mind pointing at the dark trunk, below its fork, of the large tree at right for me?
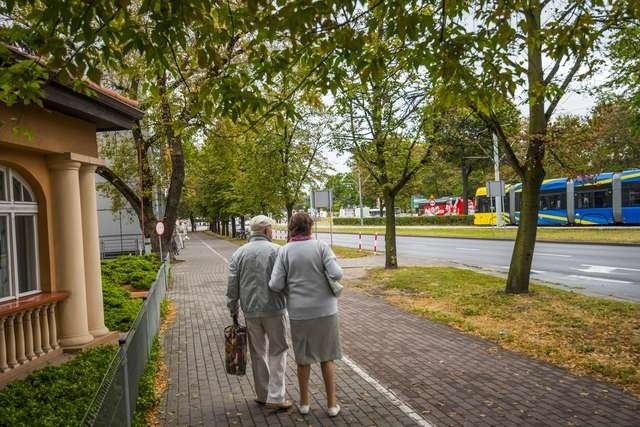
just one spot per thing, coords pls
(522, 257)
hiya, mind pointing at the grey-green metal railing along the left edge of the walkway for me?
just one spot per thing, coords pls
(115, 401)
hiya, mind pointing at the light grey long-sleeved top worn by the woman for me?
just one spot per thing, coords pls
(300, 273)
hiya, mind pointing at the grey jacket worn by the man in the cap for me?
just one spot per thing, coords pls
(249, 272)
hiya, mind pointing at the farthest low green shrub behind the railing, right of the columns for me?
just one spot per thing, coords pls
(137, 271)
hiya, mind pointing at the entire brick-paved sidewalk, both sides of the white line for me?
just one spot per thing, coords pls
(444, 376)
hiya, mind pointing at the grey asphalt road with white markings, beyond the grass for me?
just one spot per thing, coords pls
(607, 270)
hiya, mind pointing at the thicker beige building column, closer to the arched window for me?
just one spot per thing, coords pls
(69, 252)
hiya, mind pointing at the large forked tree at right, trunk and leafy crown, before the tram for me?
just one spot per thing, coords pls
(492, 51)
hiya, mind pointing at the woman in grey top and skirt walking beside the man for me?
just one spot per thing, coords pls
(301, 271)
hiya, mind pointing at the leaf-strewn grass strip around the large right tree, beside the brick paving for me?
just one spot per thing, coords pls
(585, 335)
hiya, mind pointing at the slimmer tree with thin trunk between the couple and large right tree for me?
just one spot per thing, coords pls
(382, 103)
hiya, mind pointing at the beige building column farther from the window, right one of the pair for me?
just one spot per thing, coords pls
(95, 308)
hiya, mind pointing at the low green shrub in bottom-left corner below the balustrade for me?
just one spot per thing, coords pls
(56, 395)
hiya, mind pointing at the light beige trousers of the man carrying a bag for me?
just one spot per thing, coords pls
(268, 348)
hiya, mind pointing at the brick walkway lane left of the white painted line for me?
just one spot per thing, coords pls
(201, 393)
